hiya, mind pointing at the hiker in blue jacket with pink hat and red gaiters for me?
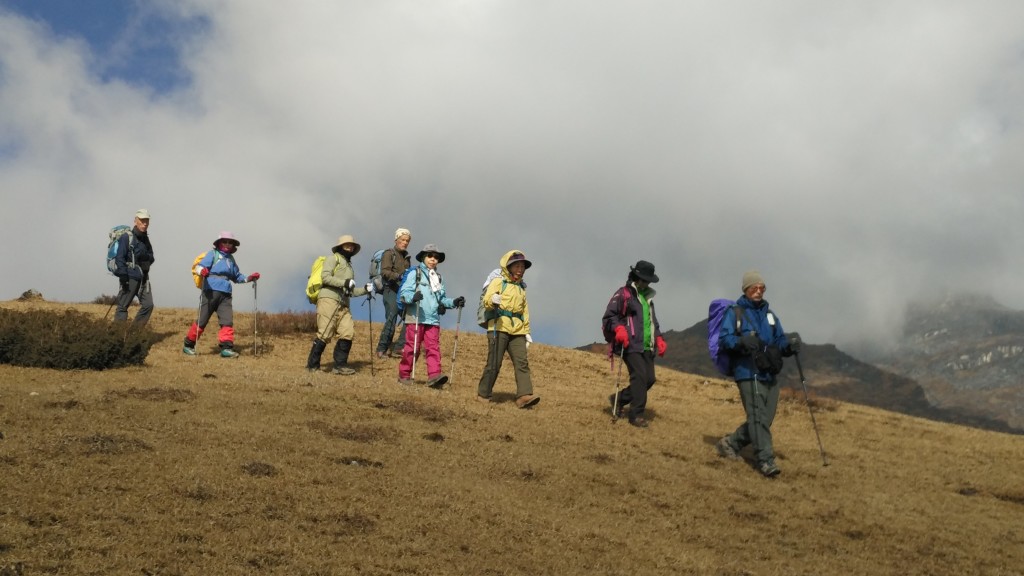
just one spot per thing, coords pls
(219, 271)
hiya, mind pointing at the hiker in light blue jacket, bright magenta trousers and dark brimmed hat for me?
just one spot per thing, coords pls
(424, 300)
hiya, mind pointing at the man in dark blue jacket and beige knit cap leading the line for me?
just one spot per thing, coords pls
(757, 352)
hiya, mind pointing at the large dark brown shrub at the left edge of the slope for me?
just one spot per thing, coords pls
(70, 341)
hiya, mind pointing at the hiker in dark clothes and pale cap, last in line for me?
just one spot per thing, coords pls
(134, 259)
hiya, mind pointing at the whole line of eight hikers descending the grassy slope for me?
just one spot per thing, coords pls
(751, 336)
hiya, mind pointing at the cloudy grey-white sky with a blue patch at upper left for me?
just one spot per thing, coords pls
(859, 154)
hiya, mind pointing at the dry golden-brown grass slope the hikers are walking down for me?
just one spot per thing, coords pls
(205, 466)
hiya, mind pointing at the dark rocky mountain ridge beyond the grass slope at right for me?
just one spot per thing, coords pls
(960, 361)
